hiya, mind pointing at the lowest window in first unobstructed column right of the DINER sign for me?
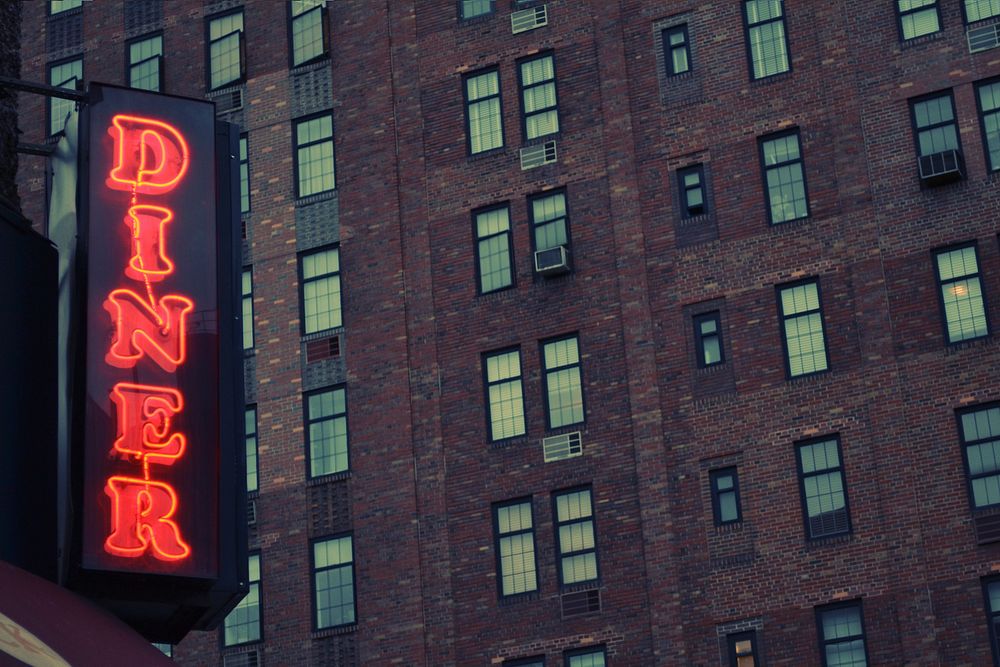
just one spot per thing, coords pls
(333, 582)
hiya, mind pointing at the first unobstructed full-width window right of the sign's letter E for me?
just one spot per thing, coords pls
(326, 431)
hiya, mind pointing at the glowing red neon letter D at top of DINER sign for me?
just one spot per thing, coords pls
(151, 157)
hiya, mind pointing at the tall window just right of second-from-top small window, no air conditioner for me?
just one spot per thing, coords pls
(784, 178)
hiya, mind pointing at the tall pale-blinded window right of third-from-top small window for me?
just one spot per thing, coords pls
(802, 324)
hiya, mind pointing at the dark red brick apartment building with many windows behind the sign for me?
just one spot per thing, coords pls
(649, 332)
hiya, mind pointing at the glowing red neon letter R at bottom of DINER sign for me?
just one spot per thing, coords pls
(141, 513)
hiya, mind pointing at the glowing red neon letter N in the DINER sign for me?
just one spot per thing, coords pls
(141, 329)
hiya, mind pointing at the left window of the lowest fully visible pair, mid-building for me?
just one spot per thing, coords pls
(515, 534)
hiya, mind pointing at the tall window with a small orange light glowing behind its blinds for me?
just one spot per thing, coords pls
(962, 301)
